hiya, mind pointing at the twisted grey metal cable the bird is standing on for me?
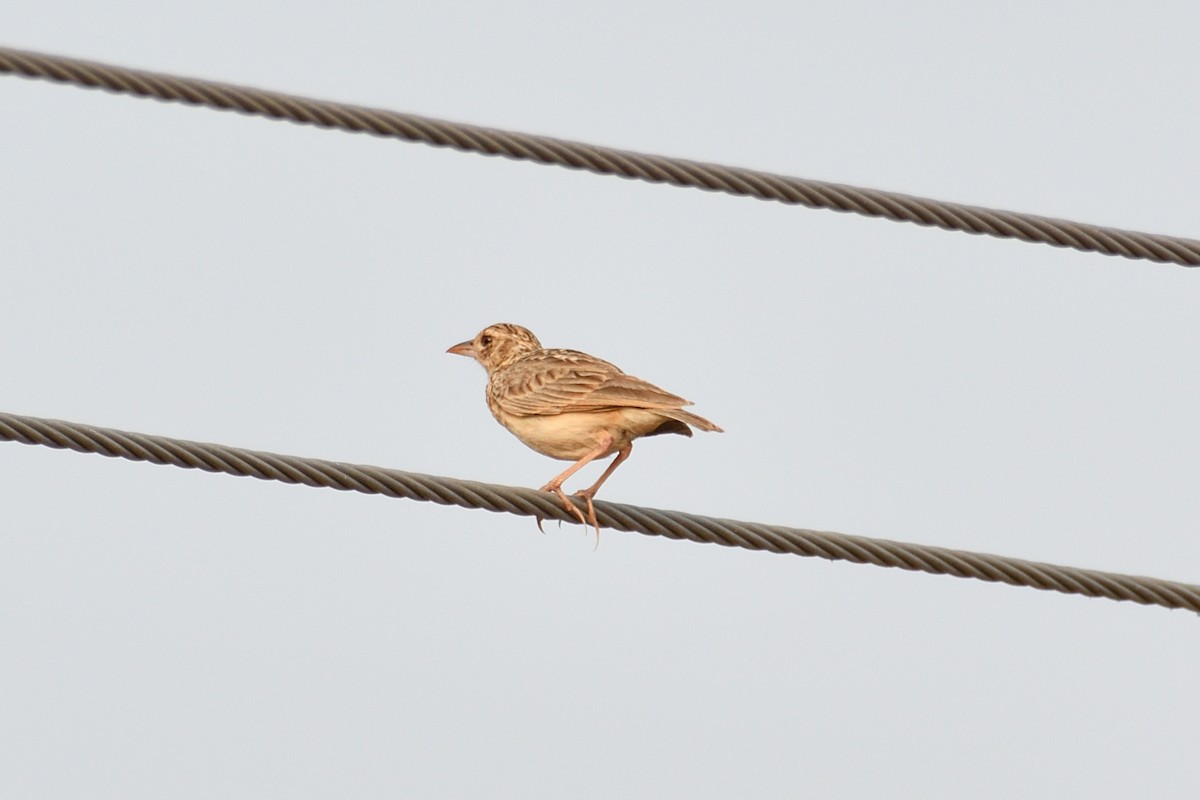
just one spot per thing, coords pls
(656, 522)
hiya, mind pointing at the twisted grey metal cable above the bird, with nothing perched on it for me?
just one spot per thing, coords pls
(625, 164)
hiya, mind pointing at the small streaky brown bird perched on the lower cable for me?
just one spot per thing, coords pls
(572, 406)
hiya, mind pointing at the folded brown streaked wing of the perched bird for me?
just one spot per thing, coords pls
(556, 382)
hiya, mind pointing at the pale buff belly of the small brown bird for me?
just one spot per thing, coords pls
(573, 436)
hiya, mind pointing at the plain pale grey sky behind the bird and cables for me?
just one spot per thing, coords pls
(167, 634)
